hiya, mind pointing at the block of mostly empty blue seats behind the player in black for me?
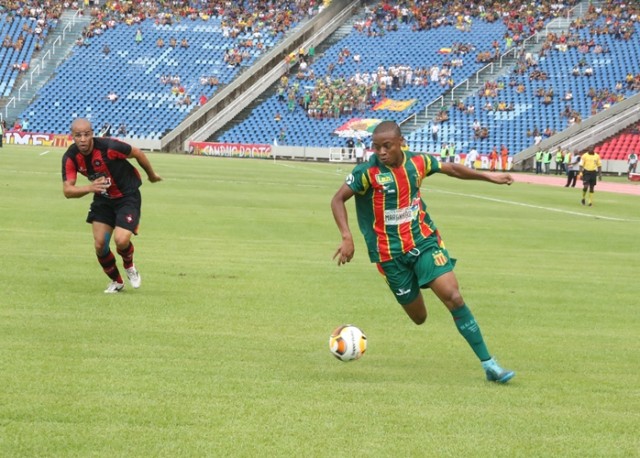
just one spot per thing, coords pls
(133, 72)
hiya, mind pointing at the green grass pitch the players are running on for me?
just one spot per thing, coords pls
(223, 351)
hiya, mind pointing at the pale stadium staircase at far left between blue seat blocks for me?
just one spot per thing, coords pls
(57, 47)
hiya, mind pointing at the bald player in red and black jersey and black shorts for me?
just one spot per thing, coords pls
(114, 183)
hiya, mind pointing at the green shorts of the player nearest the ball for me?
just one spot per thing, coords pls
(407, 273)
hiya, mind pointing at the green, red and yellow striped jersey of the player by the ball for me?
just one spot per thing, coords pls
(391, 213)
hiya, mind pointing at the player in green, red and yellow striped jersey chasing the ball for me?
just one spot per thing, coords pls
(402, 239)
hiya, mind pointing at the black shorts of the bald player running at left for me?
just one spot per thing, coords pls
(123, 212)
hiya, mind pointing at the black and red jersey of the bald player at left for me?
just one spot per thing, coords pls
(108, 159)
